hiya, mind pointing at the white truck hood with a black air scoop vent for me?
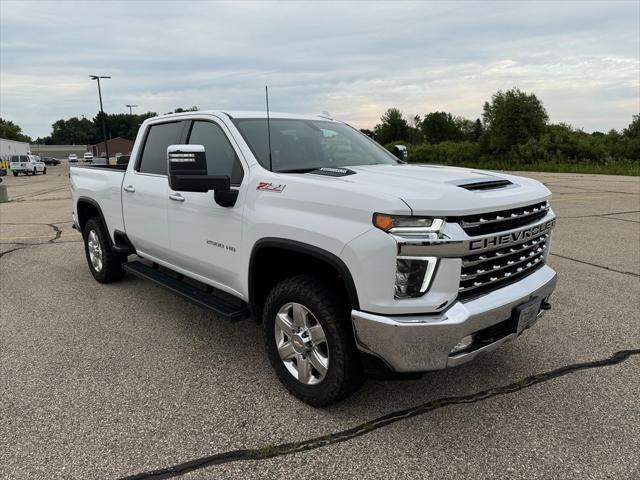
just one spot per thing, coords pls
(441, 190)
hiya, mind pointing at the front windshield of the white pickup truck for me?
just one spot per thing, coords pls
(305, 145)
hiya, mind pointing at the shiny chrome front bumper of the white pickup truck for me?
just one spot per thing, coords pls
(413, 343)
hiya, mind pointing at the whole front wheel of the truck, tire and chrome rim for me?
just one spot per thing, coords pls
(309, 340)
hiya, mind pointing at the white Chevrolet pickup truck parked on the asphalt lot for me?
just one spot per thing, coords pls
(354, 261)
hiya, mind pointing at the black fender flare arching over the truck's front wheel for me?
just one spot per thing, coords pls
(311, 250)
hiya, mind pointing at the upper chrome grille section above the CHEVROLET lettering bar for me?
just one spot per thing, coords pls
(486, 223)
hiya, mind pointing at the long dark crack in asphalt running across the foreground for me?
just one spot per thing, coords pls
(271, 451)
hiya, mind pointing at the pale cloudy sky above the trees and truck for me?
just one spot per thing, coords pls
(351, 59)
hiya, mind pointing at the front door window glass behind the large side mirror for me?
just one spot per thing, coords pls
(221, 157)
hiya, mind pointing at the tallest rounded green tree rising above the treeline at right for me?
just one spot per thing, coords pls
(512, 118)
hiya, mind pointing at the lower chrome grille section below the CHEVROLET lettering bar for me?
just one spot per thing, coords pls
(499, 267)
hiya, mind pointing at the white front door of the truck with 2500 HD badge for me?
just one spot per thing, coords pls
(205, 237)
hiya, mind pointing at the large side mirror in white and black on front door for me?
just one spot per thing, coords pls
(187, 171)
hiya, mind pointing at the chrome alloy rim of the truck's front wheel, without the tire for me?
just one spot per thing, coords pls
(301, 343)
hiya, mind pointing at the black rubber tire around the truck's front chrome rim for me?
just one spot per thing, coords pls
(344, 375)
